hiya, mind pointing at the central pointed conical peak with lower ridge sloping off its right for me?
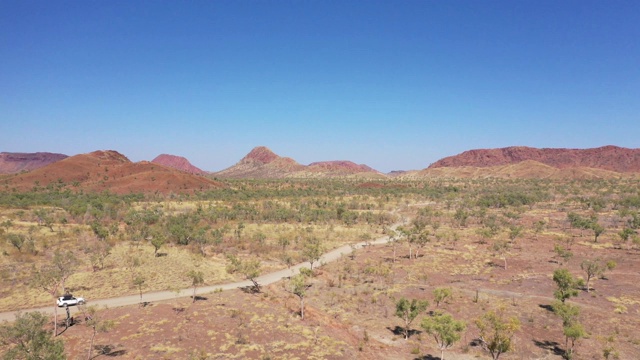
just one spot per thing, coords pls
(261, 162)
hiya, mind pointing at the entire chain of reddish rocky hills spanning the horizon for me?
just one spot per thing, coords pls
(110, 170)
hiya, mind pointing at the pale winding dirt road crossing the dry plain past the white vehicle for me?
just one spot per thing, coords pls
(266, 279)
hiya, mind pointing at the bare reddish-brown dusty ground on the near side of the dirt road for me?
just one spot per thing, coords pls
(350, 310)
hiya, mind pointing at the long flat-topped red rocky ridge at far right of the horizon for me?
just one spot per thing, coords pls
(610, 158)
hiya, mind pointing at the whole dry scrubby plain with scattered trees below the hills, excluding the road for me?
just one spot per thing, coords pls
(503, 269)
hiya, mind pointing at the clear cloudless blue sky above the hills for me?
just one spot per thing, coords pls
(391, 84)
